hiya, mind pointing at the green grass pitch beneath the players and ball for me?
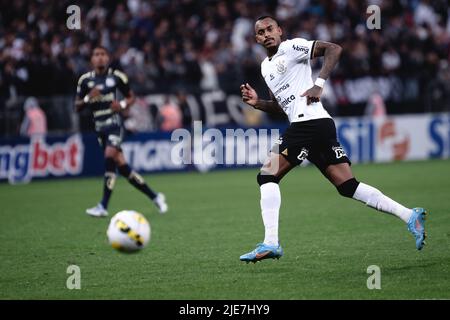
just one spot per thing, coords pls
(329, 241)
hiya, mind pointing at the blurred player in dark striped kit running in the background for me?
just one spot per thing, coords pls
(97, 90)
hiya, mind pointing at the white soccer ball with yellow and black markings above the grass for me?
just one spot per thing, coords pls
(128, 231)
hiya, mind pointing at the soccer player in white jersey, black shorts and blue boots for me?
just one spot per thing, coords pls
(311, 134)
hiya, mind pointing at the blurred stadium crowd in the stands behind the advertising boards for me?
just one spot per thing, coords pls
(192, 46)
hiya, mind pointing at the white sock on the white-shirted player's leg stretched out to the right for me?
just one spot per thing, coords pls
(377, 200)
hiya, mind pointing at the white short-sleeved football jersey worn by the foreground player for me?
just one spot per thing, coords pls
(288, 75)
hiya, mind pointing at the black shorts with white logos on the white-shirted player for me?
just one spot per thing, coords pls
(314, 140)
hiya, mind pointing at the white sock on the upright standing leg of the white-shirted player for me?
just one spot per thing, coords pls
(270, 210)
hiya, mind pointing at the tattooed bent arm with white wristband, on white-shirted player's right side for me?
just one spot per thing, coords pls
(331, 53)
